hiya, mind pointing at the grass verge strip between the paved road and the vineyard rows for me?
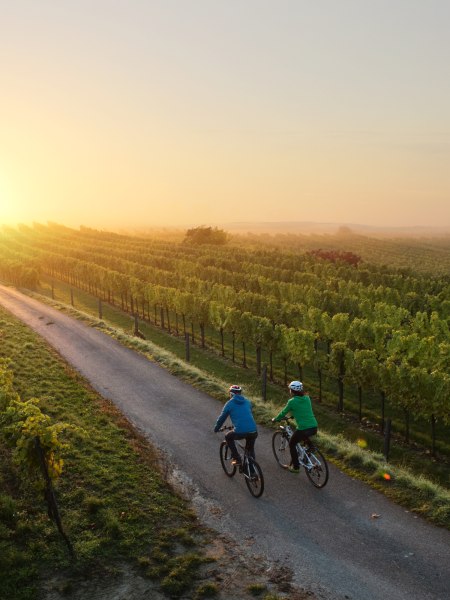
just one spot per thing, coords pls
(212, 373)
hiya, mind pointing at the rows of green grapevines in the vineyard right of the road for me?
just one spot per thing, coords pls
(320, 313)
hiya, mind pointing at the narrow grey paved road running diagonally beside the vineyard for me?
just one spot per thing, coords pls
(326, 536)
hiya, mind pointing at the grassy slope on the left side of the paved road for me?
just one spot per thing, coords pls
(115, 504)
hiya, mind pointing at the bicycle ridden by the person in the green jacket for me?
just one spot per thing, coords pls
(309, 456)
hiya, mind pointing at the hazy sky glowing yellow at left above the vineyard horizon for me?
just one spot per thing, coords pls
(162, 112)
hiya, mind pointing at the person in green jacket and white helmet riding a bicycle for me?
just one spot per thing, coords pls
(299, 406)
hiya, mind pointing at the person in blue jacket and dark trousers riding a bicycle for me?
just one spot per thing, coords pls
(239, 409)
